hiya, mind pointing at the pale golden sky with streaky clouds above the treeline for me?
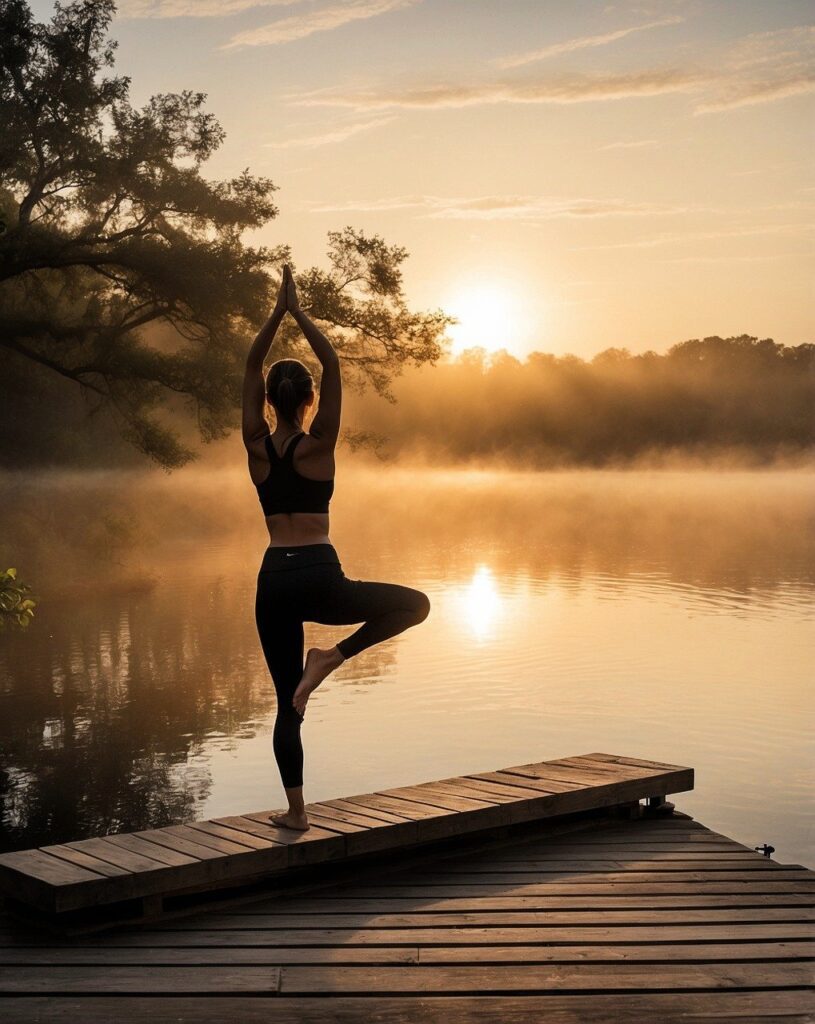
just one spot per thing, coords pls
(567, 176)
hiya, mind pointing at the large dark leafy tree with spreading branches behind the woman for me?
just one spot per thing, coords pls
(124, 270)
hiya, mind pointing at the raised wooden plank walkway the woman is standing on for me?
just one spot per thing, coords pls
(135, 877)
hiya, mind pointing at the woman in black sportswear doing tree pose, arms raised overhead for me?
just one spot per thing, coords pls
(302, 578)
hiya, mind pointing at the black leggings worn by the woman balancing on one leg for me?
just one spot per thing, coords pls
(307, 583)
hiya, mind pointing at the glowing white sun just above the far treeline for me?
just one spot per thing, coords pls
(491, 316)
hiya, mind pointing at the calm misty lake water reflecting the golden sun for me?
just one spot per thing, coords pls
(661, 615)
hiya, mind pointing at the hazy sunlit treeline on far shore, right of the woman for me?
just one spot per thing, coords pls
(704, 395)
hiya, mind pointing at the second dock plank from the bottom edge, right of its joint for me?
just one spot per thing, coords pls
(505, 978)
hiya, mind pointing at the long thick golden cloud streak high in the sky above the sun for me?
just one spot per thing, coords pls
(555, 90)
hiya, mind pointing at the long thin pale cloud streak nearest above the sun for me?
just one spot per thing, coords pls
(527, 208)
